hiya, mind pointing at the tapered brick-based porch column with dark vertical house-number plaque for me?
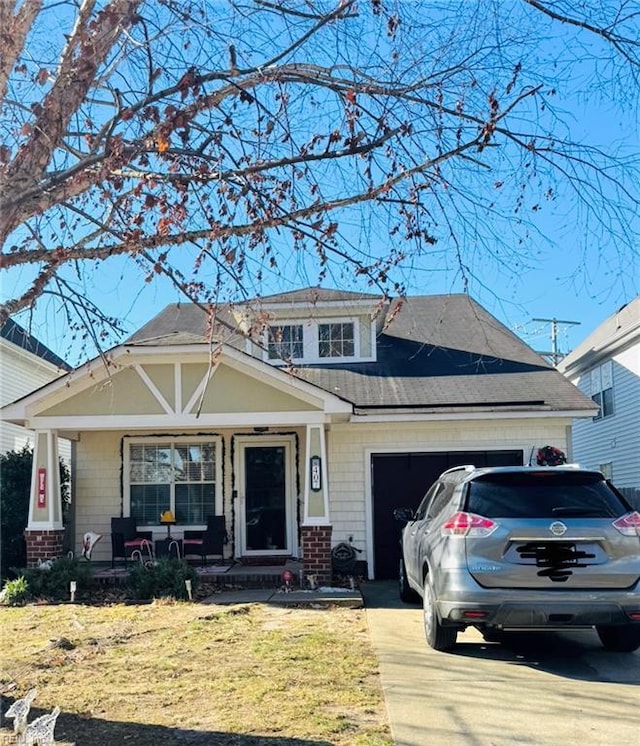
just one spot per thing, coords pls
(315, 531)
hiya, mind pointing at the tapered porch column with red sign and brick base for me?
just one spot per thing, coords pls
(44, 533)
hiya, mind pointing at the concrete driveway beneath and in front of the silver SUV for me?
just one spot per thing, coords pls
(540, 689)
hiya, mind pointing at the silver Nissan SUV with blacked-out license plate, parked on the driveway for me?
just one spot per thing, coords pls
(515, 548)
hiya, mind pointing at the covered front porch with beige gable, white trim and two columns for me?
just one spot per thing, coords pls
(157, 433)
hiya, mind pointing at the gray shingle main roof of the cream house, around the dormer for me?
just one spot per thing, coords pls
(436, 353)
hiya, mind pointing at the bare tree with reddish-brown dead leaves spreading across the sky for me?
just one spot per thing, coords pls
(217, 142)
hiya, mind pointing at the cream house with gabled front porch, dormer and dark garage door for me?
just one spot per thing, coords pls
(304, 419)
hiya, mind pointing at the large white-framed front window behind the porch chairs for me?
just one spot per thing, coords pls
(176, 475)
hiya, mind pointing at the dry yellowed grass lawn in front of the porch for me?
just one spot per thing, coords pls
(181, 673)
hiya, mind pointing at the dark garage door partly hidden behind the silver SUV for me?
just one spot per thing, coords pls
(400, 480)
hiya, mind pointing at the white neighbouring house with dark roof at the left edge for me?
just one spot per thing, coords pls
(25, 365)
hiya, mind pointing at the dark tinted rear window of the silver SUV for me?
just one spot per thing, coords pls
(543, 495)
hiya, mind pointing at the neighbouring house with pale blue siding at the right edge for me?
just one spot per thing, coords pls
(606, 367)
